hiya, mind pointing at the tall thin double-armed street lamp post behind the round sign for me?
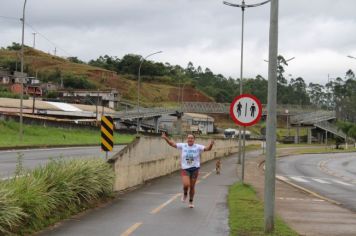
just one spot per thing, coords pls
(243, 5)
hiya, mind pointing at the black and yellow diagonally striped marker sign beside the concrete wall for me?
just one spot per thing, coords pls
(107, 134)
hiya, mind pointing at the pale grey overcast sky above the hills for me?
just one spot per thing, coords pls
(318, 33)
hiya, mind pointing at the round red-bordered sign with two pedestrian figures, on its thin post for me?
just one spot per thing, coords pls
(245, 110)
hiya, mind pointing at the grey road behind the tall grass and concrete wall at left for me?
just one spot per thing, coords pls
(36, 157)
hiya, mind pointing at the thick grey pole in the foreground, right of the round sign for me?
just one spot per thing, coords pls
(270, 171)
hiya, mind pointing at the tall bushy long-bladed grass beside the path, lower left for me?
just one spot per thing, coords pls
(35, 199)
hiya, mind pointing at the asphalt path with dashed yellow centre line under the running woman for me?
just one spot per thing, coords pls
(156, 209)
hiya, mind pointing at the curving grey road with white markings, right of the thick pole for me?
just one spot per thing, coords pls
(330, 175)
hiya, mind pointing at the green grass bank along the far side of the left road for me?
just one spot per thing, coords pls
(35, 135)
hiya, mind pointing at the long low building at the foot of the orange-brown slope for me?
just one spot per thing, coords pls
(108, 98)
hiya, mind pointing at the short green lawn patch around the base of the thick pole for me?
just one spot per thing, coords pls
(247, 216)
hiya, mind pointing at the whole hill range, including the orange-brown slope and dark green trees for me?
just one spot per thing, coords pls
(162, 81)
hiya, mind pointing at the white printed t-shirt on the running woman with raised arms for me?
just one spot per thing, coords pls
(190, 155)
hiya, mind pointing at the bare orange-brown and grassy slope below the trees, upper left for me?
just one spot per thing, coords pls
(52, 68)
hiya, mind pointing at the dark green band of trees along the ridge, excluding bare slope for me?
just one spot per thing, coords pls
(338, 94)
